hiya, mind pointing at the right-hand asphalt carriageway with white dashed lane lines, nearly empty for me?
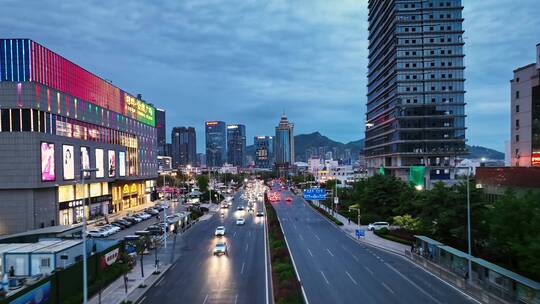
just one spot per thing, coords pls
(336, 269)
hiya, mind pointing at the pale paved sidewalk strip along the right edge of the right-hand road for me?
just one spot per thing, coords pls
(370, 237)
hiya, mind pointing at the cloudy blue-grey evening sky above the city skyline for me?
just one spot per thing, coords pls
(247, 61)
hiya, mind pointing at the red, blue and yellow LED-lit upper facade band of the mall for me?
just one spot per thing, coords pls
(25, 60)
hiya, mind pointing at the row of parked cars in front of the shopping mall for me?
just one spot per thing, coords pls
(107, 230)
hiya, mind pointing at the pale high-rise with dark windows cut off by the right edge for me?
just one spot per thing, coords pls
(525, 115)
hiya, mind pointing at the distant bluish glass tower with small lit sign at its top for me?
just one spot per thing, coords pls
(216, 143)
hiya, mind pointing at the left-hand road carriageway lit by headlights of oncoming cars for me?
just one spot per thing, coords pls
(198, 276)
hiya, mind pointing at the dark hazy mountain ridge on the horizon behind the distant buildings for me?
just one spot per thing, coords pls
(316, 140)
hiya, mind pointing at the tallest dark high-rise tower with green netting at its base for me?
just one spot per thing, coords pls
(415, 119)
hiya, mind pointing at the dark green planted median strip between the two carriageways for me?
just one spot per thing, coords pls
(286, 286)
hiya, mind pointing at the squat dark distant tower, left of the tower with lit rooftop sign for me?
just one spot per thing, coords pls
(184, 146)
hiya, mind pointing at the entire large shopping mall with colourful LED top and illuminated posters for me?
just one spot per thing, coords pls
(56, 119)
